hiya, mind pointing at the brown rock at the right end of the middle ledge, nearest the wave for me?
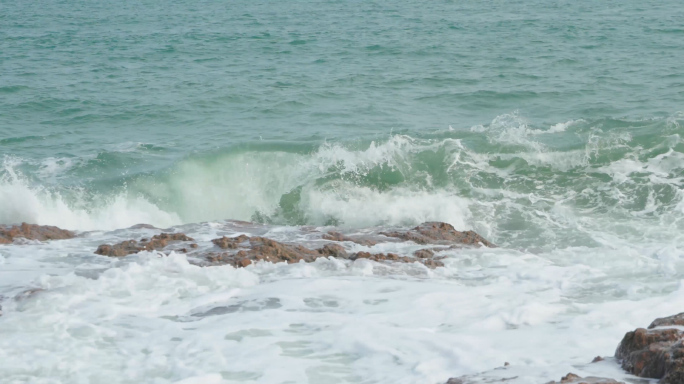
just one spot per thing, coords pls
(439, 233)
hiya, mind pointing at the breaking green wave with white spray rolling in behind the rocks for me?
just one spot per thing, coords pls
(576, 183)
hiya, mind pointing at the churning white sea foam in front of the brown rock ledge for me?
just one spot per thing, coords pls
(159, 319)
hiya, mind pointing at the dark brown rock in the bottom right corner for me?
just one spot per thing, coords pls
(656, 352)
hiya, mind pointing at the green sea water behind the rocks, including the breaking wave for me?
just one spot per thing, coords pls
(517, 118)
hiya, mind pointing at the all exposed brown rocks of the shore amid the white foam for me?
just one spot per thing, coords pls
(655, 352)
